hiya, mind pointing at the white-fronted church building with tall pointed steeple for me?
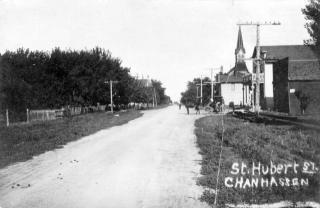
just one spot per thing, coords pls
(230, 85)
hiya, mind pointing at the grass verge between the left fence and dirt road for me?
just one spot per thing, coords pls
(22, 142)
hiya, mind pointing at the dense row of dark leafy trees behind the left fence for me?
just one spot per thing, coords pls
(38, 80)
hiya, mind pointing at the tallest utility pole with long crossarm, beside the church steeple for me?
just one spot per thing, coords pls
(258, 59)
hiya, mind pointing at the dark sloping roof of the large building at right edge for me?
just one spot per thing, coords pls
(303, 61)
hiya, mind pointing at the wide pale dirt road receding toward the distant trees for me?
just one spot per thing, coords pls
(152, 161)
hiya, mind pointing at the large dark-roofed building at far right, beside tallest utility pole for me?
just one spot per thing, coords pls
(294, 79)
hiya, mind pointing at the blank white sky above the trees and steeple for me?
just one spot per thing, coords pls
(169, 40)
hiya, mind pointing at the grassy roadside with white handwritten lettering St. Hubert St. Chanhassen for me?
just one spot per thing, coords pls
(245, 144)
